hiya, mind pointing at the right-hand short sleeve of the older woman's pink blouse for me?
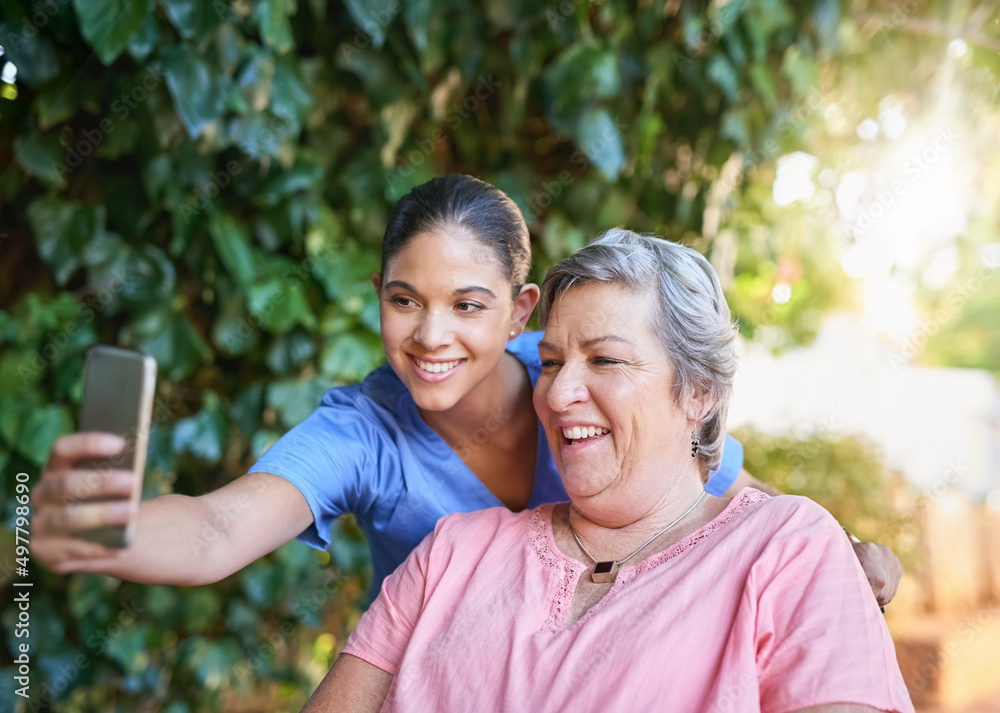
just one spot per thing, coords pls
(820, 637)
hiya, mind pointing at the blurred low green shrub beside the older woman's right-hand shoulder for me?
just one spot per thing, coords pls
(847, 476)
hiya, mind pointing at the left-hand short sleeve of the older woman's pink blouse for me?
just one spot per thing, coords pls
(384, 631)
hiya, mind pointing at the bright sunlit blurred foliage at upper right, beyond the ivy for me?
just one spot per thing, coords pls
(906, 207)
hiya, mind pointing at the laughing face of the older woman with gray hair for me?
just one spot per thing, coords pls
(606, 373)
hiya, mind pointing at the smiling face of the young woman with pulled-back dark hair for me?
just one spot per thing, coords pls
(447, 314)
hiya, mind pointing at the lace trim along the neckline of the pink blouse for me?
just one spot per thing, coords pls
(543, 542)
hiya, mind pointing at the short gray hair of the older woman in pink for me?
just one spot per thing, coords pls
(692, 319)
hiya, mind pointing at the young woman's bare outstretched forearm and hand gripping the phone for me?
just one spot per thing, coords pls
(179, 540)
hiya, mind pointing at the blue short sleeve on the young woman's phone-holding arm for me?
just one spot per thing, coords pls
(339, 459)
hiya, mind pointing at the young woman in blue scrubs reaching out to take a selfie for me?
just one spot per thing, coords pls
(446, 426)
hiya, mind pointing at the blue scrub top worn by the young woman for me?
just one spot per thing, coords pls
(367, 451)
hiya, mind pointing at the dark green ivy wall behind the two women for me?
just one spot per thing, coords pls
(209, 181)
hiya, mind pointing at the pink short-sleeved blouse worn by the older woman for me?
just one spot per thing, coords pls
(763, 609)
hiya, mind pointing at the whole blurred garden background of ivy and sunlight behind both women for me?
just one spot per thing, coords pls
(208, 181)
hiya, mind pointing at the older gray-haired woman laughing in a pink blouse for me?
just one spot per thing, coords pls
(643, 592)
